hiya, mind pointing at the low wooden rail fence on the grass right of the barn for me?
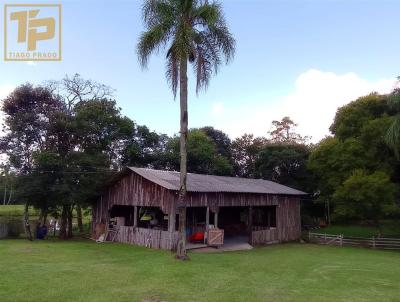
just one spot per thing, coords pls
(340, 240)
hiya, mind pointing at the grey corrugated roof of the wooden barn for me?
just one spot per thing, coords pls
(212, 183)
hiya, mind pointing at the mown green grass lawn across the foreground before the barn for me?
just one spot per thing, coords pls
(86, 271)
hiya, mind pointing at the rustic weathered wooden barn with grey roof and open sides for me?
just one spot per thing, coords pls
(142, 204)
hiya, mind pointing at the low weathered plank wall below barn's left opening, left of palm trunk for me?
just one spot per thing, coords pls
(147, 237)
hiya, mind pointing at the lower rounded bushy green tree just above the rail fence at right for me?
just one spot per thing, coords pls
(365, 196)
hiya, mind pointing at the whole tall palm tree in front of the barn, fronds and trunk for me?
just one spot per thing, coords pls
(194, 32)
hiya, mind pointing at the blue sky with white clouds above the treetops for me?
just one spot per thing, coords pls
(296, 58)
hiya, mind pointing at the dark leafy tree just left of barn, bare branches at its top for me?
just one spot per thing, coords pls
(90, 130)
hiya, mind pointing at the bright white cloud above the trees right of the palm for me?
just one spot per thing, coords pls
(312, 104)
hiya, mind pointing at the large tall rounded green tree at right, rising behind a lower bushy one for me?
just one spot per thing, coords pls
(358, 144)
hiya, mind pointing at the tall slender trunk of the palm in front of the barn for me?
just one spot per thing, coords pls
(183, 95)
